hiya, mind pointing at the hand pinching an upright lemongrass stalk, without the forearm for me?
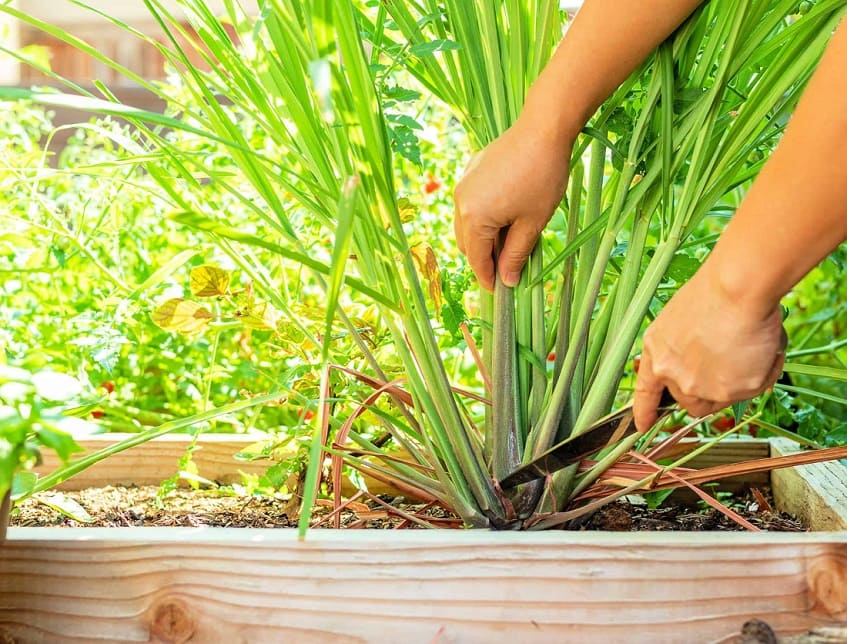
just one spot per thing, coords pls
(516, 183)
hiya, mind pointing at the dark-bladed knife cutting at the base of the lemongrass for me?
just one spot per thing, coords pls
(602, 433)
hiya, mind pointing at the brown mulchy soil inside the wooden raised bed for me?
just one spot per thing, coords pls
(142, 506)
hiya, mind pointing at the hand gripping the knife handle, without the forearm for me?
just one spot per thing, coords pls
(709, 350)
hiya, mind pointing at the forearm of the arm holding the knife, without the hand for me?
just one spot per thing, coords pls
(796, 211)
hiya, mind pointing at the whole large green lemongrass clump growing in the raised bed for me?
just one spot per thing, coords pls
(714, 92)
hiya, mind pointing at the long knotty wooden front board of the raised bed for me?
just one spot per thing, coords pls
(229, 585)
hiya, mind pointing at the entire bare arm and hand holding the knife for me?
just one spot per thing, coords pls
(719, 338)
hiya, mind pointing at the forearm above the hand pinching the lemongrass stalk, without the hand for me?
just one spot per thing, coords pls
(606, 42)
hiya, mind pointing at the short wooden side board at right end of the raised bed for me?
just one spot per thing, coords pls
(816, 494)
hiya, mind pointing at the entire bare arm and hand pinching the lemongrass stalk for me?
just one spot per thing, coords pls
(519, 179)
